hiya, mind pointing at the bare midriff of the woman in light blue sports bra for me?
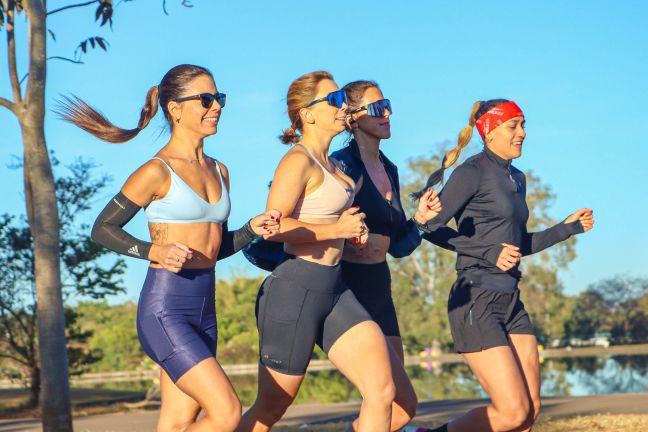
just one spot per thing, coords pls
(203, 238)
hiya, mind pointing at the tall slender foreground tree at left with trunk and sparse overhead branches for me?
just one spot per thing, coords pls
(40, 196)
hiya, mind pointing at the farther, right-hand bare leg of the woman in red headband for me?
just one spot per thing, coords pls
(525, 350)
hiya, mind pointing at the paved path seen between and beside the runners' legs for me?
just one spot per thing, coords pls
(333, 413)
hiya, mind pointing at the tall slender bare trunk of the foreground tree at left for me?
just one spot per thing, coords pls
(43, 219)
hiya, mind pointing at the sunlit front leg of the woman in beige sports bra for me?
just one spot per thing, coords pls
(361, 354)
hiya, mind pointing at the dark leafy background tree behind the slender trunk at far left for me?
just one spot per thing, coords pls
(82, 275)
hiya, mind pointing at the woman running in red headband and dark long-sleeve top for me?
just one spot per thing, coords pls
(489, 325)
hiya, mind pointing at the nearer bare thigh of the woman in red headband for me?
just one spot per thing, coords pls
(499, 375)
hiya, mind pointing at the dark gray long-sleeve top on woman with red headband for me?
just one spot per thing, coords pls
(486, 196)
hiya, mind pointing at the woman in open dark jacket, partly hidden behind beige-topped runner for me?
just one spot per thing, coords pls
(365, 270)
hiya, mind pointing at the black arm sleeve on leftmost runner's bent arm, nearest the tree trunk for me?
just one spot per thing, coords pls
(108, 228)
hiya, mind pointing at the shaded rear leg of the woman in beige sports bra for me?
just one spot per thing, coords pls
(275, 394)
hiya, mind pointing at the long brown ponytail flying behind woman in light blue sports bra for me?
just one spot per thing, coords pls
(76, 111)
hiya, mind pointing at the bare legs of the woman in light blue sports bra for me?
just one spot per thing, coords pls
(207, 384)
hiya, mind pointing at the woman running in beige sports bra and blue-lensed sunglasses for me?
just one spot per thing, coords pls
(304, 301)
